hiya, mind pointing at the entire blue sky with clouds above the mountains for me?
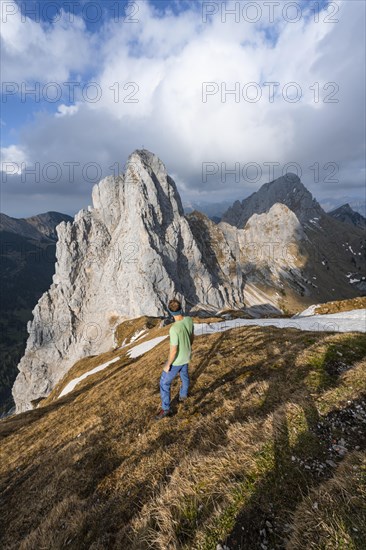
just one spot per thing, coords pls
(163, 57)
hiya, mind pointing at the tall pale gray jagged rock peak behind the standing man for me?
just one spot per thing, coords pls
(124, 257)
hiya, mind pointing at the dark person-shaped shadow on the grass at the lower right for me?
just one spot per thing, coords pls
(266, 517)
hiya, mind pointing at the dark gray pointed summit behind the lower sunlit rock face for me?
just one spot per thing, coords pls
(287, 190)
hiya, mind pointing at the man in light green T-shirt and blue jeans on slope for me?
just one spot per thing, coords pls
(181, 339)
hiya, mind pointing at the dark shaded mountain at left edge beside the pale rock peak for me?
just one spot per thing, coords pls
(27, 251)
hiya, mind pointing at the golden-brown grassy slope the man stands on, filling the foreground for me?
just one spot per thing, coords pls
(243, 461)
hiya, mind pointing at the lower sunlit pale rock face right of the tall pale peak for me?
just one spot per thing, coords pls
(255, 259)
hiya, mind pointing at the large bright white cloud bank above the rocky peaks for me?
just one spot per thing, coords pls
(169, 57)
